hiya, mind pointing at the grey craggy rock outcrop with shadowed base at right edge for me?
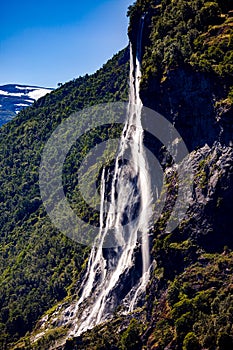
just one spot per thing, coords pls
(210, 216)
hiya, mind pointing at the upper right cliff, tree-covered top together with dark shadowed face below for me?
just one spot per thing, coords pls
(187, 66)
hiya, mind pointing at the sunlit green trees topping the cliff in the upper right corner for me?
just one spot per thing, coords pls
(194, 33)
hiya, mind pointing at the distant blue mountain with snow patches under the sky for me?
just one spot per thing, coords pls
(14, 97)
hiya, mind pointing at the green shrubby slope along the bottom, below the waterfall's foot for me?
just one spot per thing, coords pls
(193, 312)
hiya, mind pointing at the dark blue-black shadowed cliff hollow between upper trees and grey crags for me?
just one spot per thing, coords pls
(188, 99)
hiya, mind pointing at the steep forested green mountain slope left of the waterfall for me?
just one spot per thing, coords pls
(38, 265)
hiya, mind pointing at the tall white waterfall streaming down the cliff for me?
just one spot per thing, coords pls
(126, 222)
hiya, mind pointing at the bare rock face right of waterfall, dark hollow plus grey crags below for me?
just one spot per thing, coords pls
(189, 99)
